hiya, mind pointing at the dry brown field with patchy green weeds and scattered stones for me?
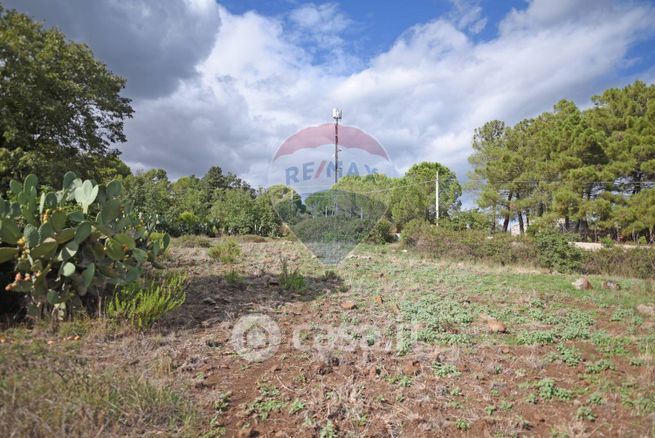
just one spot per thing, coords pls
(387, 343)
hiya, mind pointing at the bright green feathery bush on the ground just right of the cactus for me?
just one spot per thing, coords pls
(143, 303)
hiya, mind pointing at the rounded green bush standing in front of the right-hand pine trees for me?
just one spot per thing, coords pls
(555, 251)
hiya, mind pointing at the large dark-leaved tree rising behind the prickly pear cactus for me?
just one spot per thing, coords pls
(60, 108)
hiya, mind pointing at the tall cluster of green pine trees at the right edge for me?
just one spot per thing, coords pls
(592, 171)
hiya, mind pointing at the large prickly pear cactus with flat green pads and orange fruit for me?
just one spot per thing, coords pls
(67, 246)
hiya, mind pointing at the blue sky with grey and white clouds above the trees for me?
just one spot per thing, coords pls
(226, 82)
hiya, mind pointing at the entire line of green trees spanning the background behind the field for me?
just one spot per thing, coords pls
(590, 171)
